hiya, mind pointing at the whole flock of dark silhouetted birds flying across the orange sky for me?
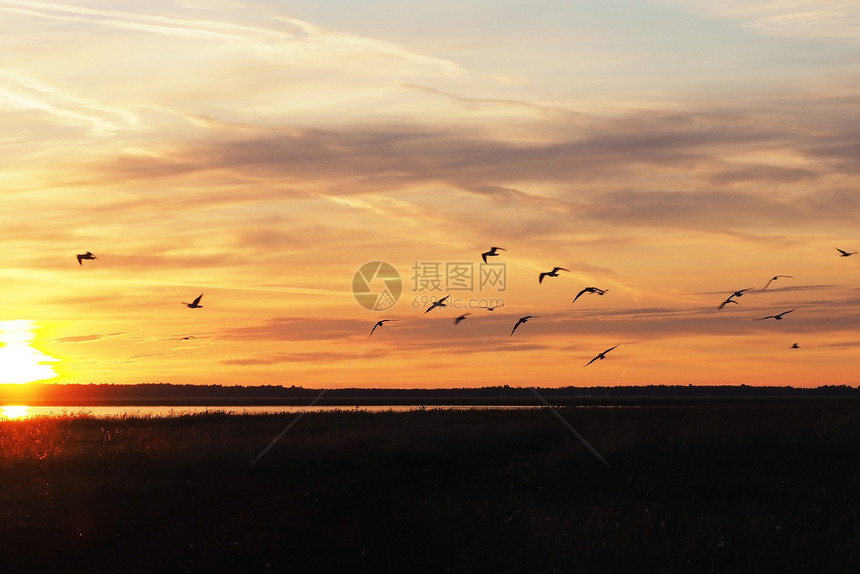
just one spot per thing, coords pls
(493, 252)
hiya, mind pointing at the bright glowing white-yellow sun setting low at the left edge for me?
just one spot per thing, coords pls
(20, 362)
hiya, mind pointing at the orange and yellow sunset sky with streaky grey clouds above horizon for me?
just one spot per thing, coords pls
(262, 153)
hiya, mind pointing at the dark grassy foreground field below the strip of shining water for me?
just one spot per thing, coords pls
(733, 487)
